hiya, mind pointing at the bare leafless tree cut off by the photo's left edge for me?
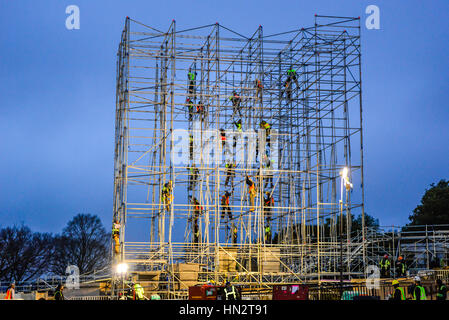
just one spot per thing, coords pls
(24, 255)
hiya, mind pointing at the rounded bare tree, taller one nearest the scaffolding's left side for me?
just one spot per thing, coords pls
(84, 243)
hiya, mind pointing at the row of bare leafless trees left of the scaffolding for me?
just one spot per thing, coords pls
(26, 255)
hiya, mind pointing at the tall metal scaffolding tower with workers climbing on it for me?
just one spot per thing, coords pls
(229, 151)
